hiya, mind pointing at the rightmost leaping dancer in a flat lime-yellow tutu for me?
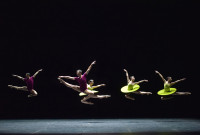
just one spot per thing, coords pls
(168, 91)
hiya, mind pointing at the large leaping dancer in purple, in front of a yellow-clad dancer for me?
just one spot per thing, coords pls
(81, 79)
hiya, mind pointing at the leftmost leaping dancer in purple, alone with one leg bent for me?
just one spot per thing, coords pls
(29, 80)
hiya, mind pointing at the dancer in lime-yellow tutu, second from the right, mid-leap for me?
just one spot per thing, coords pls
(132, 87)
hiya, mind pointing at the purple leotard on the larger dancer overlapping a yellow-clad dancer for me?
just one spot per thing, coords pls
(82, 82)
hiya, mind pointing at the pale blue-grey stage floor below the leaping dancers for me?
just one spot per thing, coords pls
(102, 126)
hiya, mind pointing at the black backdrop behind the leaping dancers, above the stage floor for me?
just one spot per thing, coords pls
(62, 36)
